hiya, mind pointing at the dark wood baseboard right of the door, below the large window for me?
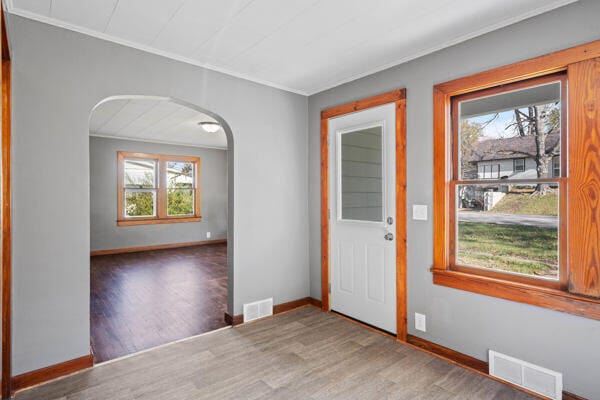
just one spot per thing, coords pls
(470, 363)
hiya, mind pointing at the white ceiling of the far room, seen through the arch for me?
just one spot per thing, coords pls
(154, 120)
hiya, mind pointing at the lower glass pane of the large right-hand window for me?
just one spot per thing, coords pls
(508, 228)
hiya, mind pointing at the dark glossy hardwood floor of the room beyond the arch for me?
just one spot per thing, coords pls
(142, 300)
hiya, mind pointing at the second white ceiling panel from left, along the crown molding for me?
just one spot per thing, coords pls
(93, 14)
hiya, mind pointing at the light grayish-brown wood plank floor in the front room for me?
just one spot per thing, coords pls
(303, 354)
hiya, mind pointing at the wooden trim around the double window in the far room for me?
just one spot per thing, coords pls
(161, 190)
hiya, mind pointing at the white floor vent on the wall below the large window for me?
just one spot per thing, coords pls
(529, 376)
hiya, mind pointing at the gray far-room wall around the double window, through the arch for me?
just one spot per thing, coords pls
(104, 232)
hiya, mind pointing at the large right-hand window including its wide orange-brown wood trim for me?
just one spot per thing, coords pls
(516, 174)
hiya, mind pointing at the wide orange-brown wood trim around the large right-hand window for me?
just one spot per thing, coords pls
(579, 290)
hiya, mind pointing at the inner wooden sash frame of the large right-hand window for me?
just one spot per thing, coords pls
(455, 180)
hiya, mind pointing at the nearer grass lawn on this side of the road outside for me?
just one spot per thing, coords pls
(522, 249)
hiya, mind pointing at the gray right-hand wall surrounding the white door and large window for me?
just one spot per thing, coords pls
(468, 322)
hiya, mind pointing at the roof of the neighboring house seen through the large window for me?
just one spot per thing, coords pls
(514, 147)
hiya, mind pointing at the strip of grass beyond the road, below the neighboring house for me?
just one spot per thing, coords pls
(525, 203)
